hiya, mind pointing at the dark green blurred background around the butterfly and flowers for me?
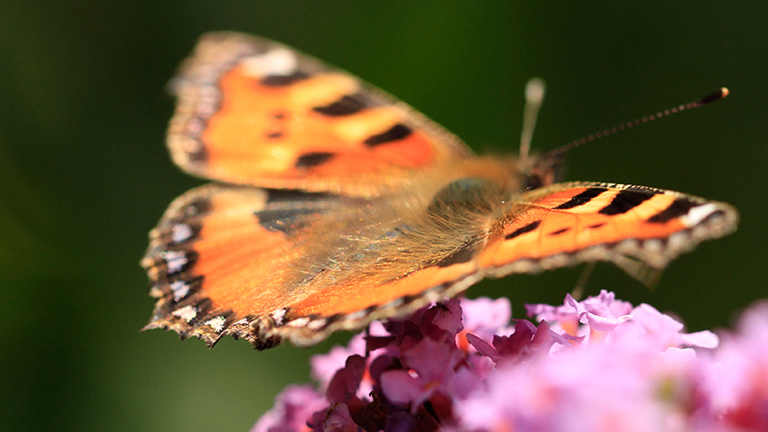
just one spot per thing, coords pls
(84, 173)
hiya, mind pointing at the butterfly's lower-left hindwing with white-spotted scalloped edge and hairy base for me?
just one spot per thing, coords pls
(271, 265)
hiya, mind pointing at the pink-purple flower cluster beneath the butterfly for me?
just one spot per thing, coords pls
(598, 365)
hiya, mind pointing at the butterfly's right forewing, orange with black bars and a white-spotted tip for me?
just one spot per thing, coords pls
(636, 227)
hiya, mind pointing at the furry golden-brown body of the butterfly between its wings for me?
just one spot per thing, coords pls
(440, 218)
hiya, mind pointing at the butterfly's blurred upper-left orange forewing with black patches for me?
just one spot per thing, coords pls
(252, 111)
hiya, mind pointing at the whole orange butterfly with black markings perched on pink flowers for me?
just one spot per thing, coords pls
(335, 205)
